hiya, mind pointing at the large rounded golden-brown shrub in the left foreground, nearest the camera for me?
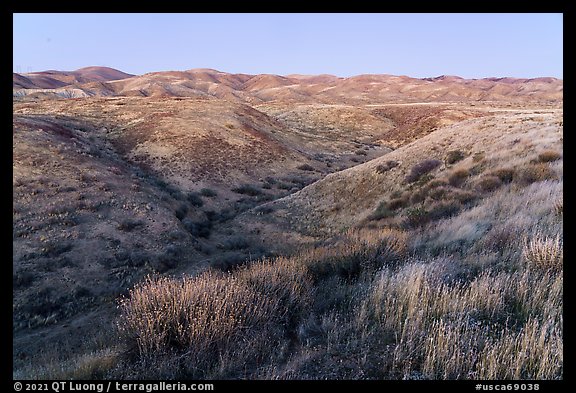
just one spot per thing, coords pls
(202, 319)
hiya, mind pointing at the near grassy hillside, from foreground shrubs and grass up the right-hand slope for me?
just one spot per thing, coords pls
(440, 260)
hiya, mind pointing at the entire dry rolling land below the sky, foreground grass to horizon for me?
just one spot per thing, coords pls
(206, 225)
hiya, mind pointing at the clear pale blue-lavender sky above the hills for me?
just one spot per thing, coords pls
(416, 45)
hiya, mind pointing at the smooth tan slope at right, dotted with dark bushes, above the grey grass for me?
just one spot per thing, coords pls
(506, 139)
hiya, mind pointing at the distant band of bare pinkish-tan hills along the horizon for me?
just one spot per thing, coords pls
(255, 89)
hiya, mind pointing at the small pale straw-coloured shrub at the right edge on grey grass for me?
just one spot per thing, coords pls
(544, 252)
